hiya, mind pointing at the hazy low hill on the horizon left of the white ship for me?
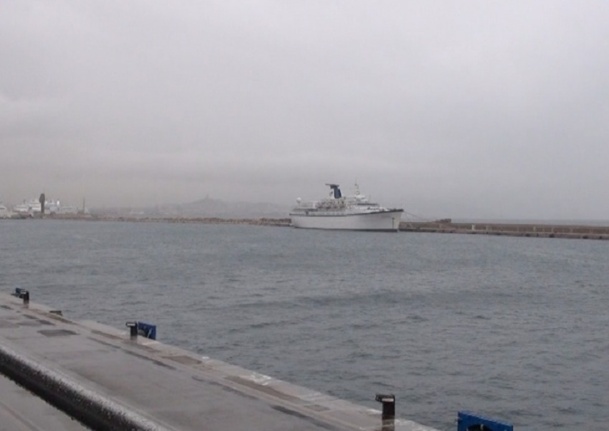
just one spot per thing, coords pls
(207, 207)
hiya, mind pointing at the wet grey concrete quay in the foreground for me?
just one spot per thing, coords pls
(109, 380)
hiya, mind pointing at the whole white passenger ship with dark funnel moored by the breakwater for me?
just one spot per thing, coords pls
(340, 212)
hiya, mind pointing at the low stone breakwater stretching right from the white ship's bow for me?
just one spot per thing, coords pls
(508, 229)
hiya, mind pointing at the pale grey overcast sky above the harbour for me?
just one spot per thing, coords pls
(462, 109)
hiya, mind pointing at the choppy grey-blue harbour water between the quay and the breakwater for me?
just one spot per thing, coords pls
(516, 328)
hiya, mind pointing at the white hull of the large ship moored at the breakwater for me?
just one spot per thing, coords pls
(388, 221)
